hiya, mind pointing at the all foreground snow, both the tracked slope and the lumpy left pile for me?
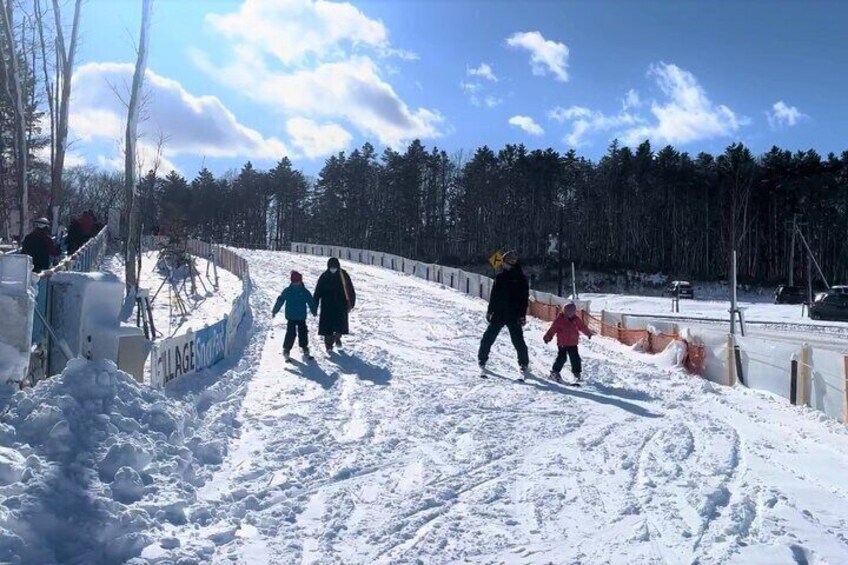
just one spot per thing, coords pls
(395, 451)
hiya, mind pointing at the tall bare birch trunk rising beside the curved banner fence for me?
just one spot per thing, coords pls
(130, 188)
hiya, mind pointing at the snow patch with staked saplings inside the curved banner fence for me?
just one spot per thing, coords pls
(207, 305)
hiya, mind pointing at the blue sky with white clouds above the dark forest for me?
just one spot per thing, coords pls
(238, 80)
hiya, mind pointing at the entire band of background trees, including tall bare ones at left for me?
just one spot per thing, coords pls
(637, 208)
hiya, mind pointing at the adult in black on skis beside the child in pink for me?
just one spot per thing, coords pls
(507, 307)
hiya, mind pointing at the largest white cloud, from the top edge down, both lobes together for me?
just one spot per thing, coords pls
(310, 59)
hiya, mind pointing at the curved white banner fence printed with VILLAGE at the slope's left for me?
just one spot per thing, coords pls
(195, 351)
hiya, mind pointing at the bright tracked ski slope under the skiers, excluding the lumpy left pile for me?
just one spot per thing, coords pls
(394, 450)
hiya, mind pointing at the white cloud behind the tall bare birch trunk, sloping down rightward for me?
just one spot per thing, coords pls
(196, 125)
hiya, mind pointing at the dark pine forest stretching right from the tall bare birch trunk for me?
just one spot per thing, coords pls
(653, 211)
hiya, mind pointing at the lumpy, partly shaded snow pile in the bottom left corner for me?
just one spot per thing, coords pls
(90, 463)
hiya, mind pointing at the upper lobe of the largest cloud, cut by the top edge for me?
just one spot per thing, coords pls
(291, 30)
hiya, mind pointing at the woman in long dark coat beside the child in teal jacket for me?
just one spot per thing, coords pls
(335, 295)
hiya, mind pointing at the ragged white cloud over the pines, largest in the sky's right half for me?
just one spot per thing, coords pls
(687, 114)
